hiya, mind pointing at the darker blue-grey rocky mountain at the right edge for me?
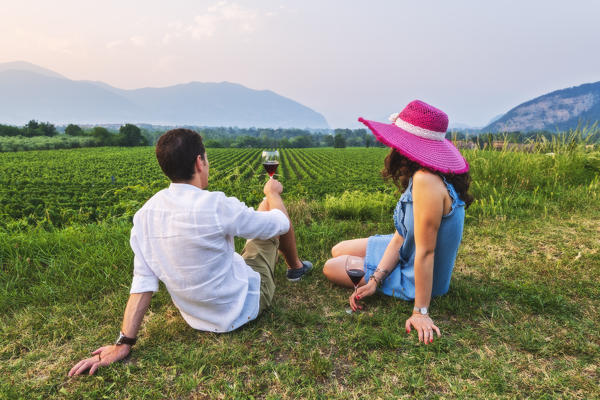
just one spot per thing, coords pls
(561, 109)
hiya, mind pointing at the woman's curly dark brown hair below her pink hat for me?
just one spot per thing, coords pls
(400, 169)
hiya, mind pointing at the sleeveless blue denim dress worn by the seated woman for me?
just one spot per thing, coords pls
(401, 282)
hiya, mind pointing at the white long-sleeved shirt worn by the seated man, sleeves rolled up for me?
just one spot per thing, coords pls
(183, 236)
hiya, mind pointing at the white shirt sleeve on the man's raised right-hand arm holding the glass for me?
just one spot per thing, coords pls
(237, 219)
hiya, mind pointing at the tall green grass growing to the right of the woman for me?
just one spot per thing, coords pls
(536, 178)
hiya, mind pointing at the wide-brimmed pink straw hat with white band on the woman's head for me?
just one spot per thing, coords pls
(418, 132)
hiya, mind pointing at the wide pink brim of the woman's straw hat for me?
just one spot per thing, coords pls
(439, 155)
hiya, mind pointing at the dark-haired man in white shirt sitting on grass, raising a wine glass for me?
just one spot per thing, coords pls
(183, 236)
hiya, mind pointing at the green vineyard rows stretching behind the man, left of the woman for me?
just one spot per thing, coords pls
(88, 185)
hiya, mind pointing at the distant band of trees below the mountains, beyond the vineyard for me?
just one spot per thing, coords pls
(233, 137)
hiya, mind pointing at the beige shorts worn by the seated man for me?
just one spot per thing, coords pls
(261, 256)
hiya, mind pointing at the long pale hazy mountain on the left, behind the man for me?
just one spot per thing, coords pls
(31, 92)
